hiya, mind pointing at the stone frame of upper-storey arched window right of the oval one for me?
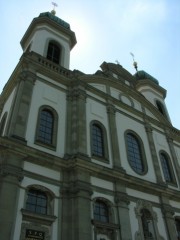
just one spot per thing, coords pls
(170, 168)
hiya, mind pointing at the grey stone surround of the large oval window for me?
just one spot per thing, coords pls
(141, 150)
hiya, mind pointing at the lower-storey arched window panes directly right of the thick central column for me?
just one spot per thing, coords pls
(101, 211)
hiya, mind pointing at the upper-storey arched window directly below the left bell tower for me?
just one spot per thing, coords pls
(46, 132)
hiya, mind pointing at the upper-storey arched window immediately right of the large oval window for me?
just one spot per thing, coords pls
(167, 168)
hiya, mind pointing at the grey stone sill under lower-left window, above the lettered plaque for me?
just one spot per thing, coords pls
(40, 218)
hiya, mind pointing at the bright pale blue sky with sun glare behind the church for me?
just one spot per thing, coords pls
(106, 30)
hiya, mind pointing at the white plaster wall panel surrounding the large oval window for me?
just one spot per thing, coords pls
(125, 123)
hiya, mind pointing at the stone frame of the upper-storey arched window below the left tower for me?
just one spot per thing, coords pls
(53, 143)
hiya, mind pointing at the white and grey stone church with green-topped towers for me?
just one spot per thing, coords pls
(84, 156)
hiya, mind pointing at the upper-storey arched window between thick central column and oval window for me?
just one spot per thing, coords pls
(99, 147)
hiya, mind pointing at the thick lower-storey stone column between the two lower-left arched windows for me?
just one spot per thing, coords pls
(76, 206)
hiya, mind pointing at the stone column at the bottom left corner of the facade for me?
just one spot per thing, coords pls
(10, 176)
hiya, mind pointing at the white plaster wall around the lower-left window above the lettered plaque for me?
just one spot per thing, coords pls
(25, 183)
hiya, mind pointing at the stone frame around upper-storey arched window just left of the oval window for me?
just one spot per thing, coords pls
(105, 155)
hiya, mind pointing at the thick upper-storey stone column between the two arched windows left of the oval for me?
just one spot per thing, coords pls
(76, 141)
